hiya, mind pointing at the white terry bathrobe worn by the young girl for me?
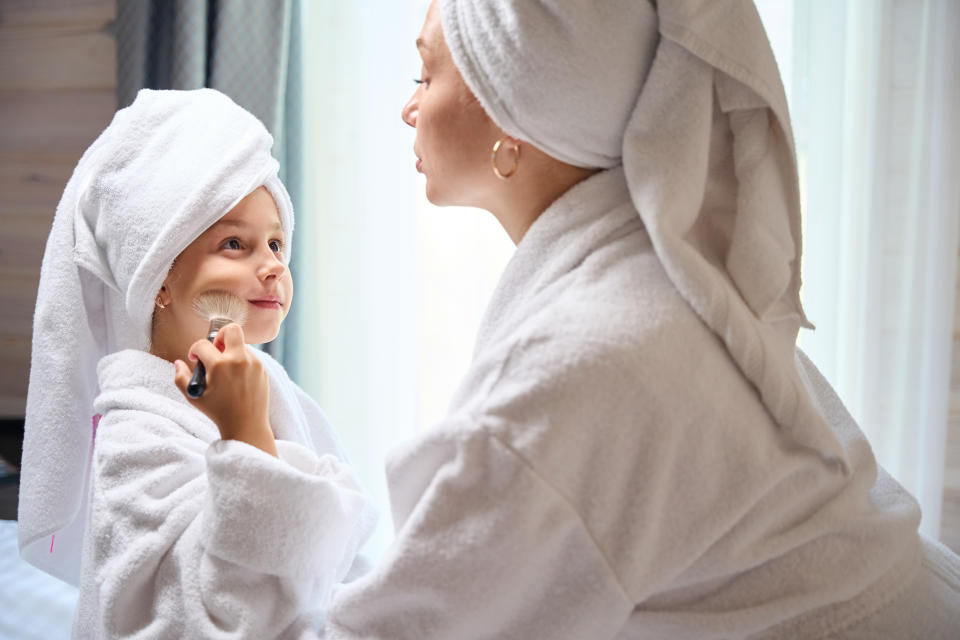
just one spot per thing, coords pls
(191, 536)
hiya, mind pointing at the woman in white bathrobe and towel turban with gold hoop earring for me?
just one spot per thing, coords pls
(637, 450)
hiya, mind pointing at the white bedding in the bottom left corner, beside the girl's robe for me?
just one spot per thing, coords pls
(32, 603)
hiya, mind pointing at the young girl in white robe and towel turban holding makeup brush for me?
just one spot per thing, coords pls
(230, 515)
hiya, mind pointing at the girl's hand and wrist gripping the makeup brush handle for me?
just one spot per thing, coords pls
(237, 397)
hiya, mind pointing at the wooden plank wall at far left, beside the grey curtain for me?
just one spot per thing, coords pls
(57, 93)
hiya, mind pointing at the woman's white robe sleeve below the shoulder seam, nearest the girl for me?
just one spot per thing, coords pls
(486, 548)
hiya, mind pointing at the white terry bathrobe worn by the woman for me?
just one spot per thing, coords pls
(606, 471)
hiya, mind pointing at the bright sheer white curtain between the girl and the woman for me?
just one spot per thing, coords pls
(389, 289)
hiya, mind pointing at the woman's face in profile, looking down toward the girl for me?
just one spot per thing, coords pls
(454, 134)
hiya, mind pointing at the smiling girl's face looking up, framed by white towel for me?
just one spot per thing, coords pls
(242, 254)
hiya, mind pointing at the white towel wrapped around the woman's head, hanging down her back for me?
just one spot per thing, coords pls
(653, 86)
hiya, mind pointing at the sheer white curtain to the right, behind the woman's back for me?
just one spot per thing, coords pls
(873, 88)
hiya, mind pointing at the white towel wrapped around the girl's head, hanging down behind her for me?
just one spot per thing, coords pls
(165, 169)
